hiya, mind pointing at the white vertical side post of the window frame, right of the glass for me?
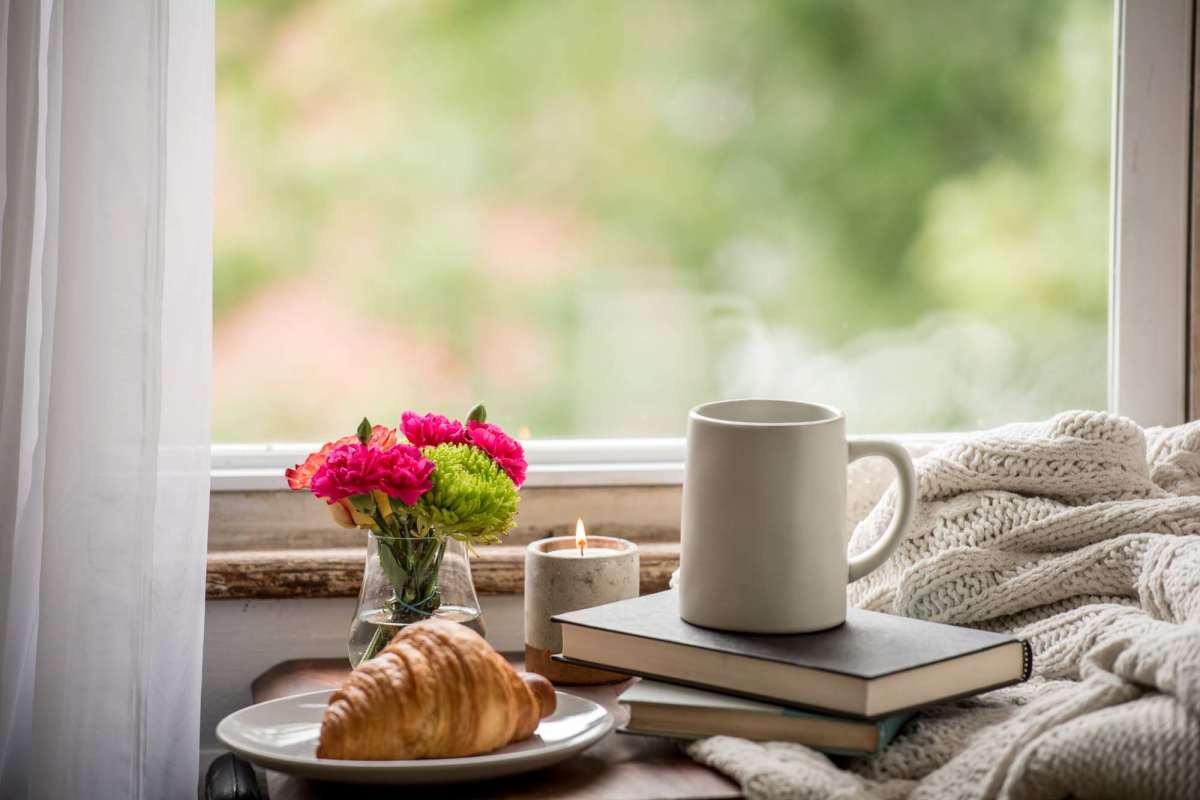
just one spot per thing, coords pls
(1153, 118)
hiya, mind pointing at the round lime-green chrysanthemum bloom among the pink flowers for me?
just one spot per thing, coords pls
(472, 498)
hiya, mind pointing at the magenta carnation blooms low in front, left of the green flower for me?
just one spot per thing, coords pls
(401, 473)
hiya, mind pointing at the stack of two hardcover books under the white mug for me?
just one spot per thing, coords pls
(848, 690)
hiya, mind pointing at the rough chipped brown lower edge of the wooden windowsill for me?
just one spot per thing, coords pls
(337, 573)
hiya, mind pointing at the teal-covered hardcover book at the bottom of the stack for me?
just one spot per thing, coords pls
(683, 713)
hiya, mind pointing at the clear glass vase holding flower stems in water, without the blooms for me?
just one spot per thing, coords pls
(406, 580)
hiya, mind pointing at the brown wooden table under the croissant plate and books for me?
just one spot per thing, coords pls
(619, 768)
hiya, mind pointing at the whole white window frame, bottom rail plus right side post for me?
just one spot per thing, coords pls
(1149, 274)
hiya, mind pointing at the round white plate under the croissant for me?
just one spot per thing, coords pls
(283, 736)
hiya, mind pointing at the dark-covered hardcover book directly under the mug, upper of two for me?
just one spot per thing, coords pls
(872, 666)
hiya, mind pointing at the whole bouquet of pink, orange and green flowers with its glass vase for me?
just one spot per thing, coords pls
(425, 495)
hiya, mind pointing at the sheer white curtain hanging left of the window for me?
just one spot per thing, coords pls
(105, 360)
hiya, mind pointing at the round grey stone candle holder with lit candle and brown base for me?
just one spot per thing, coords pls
(560, 580)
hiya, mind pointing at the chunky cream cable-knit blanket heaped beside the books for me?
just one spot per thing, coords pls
(1081, 534)
